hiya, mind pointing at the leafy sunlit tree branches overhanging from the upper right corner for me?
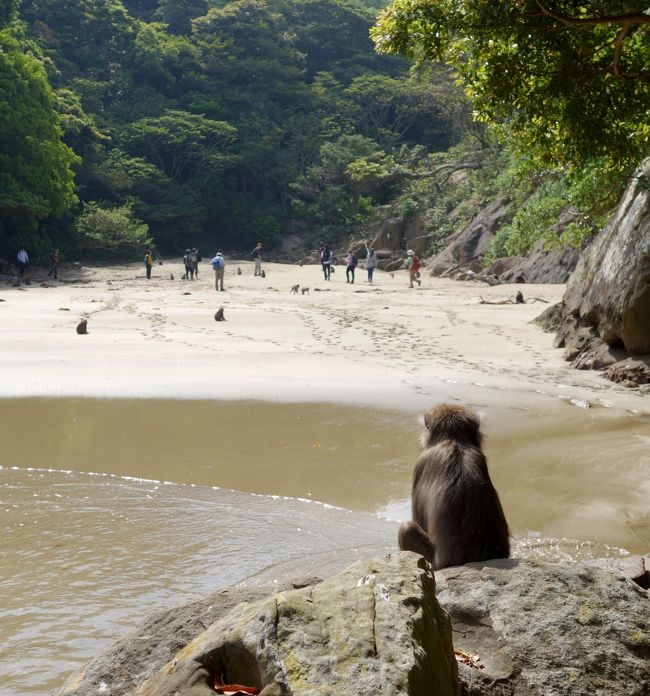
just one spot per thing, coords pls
(569, 80)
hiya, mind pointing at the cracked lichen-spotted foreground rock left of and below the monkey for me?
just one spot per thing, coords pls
(375, 628)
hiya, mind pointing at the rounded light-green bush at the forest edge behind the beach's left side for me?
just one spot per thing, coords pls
(113, 232)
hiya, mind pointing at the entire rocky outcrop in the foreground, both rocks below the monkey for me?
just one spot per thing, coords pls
(520, 627)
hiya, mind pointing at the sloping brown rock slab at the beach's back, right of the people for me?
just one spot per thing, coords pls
(467, 247)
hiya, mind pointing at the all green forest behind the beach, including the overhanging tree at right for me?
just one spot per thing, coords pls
(129, 123)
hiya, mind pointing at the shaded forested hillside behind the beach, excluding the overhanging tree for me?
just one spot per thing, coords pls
(203, 122)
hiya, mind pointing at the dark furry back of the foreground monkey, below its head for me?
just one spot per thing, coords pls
(455, 502)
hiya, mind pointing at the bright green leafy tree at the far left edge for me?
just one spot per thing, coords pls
(36, 178)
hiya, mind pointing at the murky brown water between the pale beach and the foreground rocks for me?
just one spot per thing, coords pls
(111, 508)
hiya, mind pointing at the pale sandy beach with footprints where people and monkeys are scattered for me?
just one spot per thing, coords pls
(383, 345)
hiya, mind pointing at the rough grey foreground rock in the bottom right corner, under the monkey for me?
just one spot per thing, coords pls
(536, 629)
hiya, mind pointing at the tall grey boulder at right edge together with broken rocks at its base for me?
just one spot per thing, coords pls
(606, 306)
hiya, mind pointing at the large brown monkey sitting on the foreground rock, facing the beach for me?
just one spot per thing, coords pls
(457, 515)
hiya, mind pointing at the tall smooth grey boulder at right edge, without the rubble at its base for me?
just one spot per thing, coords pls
(610, 287)
